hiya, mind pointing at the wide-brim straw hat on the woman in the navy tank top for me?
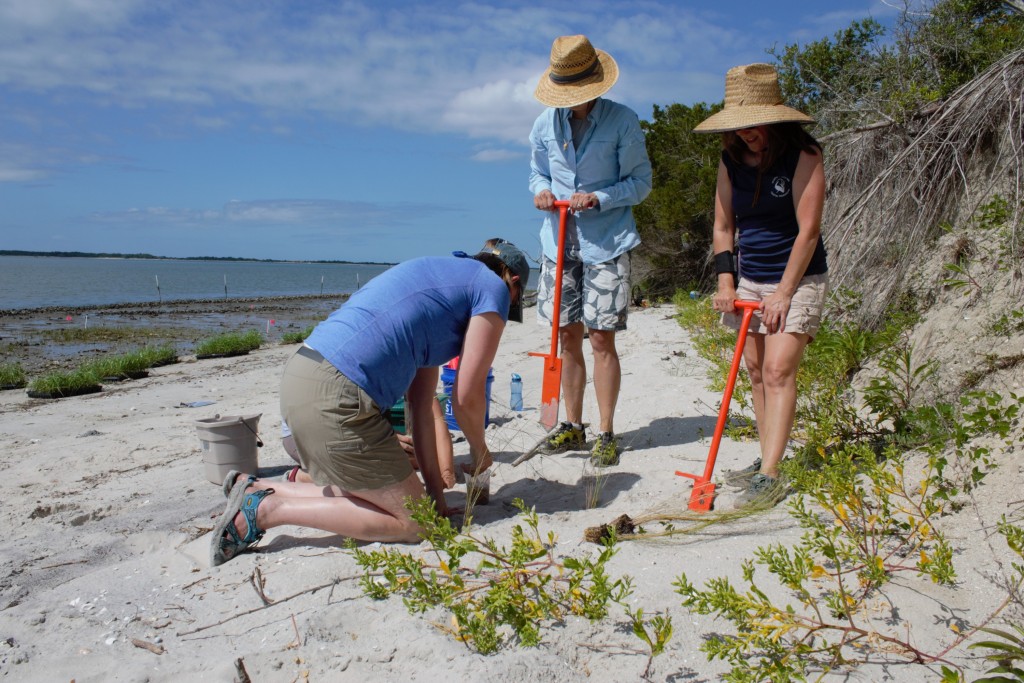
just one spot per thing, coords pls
(753, 98)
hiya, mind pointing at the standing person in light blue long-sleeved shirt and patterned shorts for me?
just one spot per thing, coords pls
(591, 152)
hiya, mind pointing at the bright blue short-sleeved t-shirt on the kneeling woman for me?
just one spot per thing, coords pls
(410, 317)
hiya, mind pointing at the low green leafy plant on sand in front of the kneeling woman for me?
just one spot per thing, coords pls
(509, 593)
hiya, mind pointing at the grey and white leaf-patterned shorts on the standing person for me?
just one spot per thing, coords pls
(596, 294)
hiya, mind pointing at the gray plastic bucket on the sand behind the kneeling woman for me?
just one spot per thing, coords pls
(230, 443)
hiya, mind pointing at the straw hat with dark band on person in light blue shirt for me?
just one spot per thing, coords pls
(578, 73)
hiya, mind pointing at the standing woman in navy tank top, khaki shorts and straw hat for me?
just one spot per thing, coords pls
(769, 248)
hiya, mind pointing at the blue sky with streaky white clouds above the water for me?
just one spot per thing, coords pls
(353, 131)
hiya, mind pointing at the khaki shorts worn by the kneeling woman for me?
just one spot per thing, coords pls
(343, 437)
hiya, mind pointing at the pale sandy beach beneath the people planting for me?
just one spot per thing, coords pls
(107, 515)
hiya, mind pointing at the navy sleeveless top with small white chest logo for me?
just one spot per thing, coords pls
(769, 229)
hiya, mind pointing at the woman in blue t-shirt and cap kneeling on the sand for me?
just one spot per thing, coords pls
(388, 340)
